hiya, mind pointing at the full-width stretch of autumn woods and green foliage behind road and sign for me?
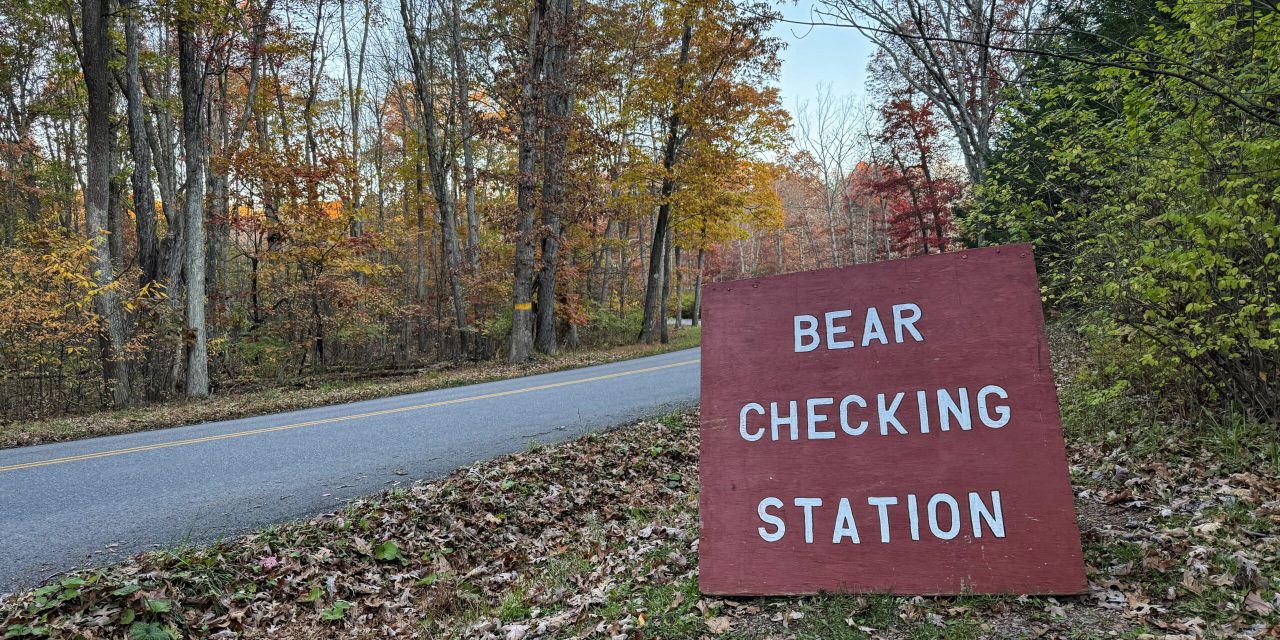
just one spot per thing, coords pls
(203, 194)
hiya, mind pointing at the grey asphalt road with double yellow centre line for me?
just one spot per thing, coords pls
(92, 502)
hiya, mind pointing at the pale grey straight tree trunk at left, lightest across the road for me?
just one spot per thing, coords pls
(191, 80)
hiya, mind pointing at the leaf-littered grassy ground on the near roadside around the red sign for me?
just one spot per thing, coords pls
(597, 538)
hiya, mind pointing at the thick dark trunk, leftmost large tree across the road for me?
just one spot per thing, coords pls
(97, 51)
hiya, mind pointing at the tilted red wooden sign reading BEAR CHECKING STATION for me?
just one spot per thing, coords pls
(885, 428)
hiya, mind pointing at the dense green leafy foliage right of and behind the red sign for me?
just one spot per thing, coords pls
(1155, 208)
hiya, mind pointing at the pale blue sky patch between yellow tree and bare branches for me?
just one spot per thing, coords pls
(815, 56)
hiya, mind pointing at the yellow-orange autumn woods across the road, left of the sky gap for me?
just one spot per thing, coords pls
(205, 193)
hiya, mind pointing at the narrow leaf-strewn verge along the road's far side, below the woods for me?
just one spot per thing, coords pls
(276, 400)
